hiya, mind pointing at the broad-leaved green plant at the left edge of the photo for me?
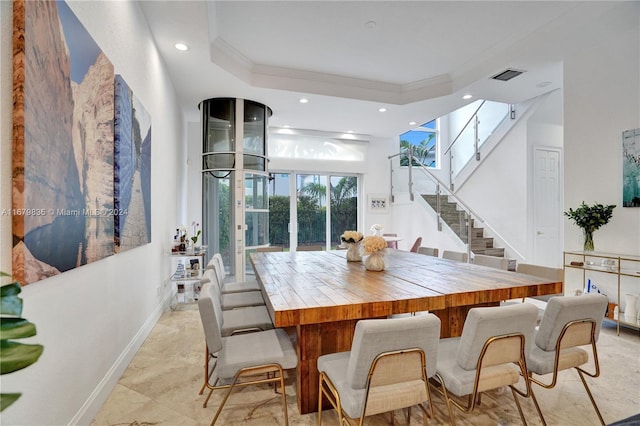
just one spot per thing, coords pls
(14, 356)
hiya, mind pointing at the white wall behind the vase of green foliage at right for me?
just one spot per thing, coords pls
(602, 99)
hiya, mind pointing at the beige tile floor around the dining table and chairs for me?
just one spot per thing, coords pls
(161, 386)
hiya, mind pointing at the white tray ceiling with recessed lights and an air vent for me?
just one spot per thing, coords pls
(416, 58)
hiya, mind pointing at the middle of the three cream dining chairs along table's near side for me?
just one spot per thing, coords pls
(489, 354)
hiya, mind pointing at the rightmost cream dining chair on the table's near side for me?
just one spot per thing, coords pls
(568, 322)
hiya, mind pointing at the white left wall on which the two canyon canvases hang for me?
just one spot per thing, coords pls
(91, 320)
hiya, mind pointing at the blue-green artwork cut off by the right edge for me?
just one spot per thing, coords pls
(631, 168)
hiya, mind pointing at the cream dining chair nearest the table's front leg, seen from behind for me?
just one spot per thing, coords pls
(387, 368)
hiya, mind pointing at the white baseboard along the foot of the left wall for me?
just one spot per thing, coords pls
(96, 399)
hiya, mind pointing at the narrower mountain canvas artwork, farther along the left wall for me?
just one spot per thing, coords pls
(132, 169)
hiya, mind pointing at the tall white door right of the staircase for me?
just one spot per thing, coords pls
(547, 208)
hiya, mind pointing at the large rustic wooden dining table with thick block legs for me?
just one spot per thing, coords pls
(320, 296)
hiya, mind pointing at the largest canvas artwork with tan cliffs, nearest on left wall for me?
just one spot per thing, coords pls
(63, 151)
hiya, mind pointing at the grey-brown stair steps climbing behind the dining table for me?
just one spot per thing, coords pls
(456, 220)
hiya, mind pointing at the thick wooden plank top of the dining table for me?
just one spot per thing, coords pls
(315, 287)
